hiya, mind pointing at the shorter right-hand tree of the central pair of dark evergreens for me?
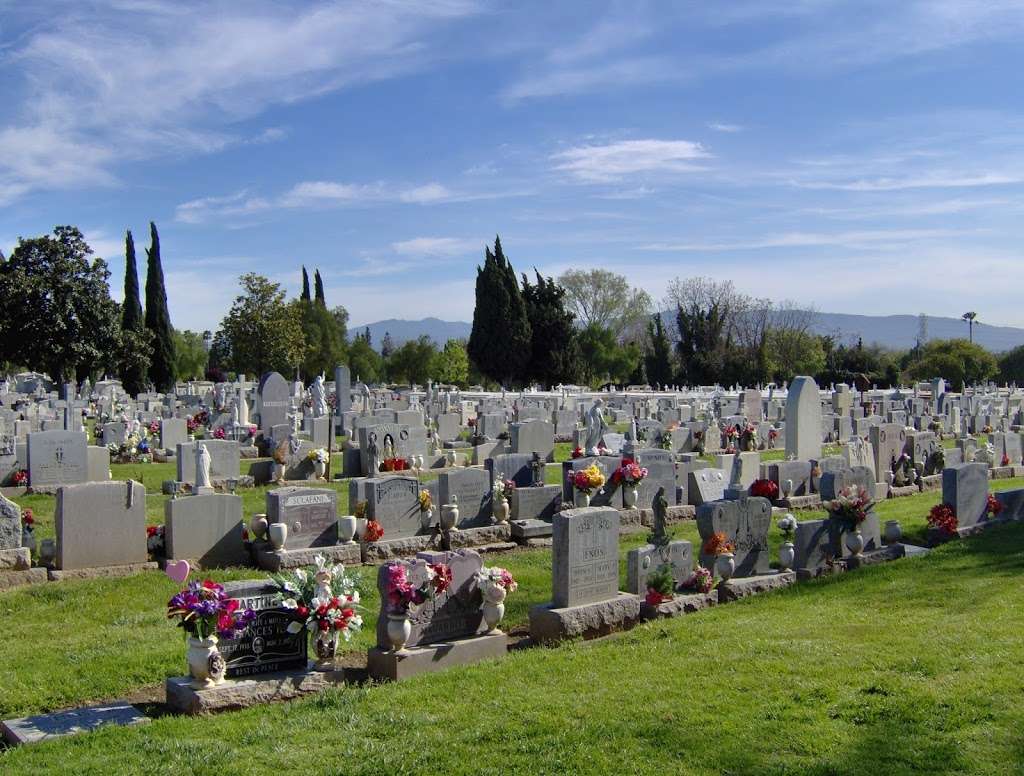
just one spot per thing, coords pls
(554, 348)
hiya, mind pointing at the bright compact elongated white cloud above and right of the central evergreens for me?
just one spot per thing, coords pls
(617, 160)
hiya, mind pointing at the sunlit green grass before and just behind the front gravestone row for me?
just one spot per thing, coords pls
(906, 668)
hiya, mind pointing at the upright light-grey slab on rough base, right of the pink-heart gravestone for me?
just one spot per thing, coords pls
(585, 556)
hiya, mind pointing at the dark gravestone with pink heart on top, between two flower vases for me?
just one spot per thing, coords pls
(454, 614)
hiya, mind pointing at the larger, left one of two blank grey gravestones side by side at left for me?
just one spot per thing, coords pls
(101, 525)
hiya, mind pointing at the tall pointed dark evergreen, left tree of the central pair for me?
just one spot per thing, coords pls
(500, 344)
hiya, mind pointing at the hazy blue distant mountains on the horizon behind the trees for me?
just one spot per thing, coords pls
(890, 331)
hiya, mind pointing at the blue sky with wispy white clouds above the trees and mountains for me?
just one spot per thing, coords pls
(864, 157)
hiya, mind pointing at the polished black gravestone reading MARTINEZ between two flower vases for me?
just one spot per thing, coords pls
(267, 646)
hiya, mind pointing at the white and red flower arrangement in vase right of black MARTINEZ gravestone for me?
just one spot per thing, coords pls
(325, 599)
